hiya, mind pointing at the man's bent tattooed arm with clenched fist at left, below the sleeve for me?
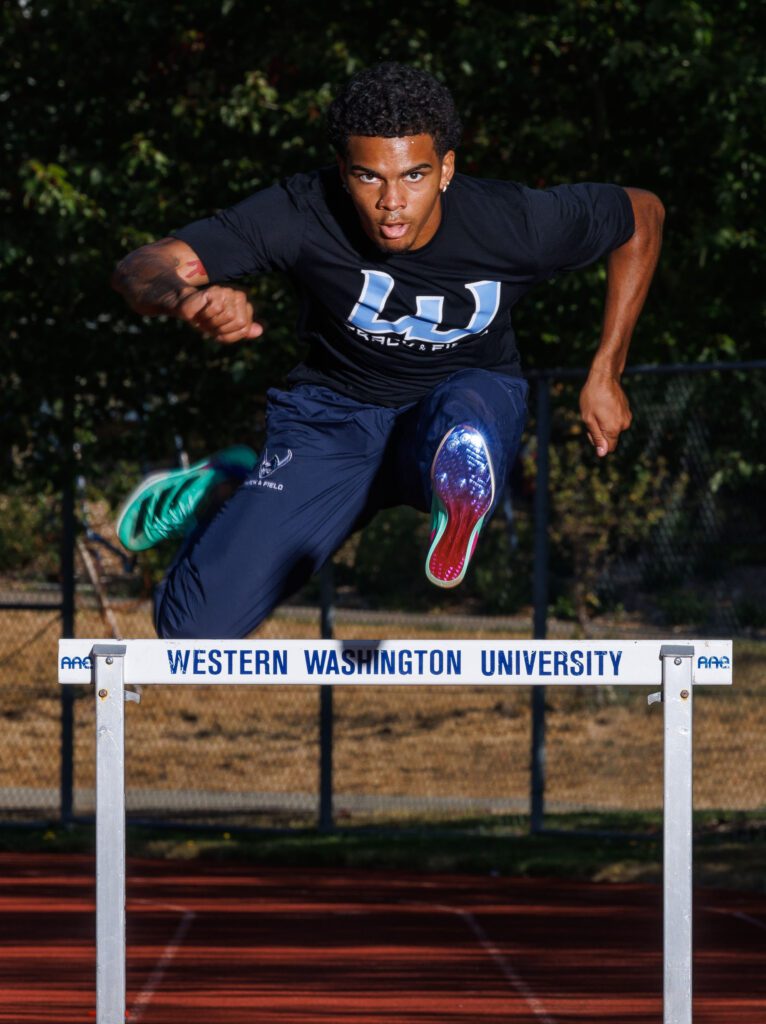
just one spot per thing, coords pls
(167, 278)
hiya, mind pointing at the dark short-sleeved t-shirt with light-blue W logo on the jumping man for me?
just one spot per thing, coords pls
(387, 329)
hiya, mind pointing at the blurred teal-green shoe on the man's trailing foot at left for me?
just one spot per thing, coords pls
(163, 505)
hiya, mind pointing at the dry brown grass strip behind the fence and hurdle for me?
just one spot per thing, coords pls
(436, 748)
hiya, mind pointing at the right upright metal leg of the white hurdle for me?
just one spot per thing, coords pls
(677, 705)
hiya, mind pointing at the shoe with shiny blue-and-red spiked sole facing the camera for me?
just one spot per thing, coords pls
(463, 484)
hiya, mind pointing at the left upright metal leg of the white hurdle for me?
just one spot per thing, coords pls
(110, 701)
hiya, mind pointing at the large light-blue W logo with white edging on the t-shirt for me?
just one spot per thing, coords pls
(425, 325)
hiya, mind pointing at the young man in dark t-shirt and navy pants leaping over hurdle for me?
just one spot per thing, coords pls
(412, 391)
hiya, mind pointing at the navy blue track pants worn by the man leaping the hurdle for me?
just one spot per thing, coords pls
(328, 465)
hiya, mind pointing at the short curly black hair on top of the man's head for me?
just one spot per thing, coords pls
(391, 101)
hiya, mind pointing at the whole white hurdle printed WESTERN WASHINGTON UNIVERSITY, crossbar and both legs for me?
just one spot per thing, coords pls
(675, 667)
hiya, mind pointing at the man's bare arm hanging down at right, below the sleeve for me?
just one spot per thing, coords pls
(604, 405)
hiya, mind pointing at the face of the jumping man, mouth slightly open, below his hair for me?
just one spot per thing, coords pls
(395, 185)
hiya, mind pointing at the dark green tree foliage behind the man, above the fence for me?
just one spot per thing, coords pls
(123, 121)
